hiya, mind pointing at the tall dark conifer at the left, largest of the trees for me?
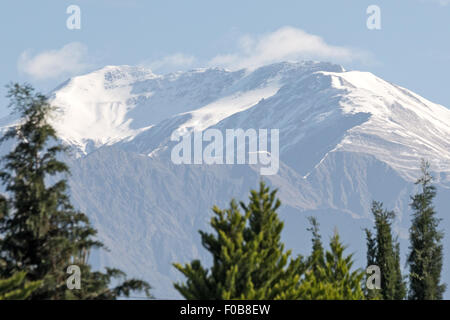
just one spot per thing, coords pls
(40, 231)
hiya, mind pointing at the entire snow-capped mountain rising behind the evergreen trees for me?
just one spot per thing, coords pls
(346, 138)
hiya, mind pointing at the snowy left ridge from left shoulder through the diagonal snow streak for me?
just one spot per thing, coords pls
(117, 103)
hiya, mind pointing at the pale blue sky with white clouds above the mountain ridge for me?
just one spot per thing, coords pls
(411, 49)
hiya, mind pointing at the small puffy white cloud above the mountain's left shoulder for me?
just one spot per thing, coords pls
(71, 59)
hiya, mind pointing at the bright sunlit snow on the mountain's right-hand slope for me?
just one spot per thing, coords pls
(406, 126)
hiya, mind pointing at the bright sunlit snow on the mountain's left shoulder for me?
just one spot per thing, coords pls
(94, 108)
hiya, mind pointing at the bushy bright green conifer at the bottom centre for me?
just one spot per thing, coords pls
(249, 260)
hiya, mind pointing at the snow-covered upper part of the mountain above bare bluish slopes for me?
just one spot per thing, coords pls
(118, 103)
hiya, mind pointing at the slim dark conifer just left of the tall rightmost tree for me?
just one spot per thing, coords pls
(383, 251)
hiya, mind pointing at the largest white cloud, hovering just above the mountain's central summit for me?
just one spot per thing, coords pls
(284, 44)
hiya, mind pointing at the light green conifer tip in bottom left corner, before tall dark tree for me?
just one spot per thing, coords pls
(16, 288)
